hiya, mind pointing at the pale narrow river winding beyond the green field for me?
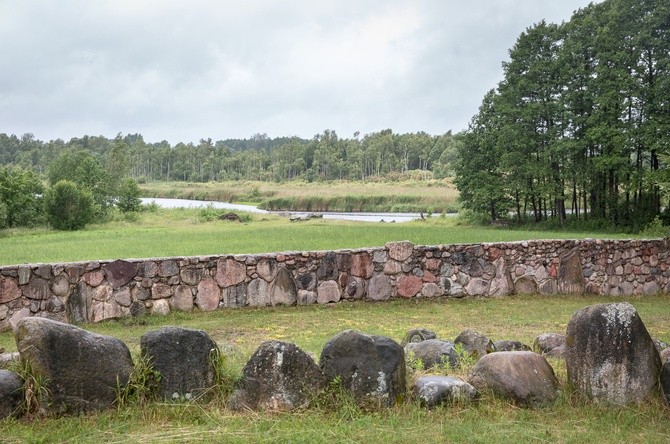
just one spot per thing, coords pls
(361, 217)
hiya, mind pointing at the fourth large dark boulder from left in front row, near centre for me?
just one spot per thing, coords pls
(372, 368)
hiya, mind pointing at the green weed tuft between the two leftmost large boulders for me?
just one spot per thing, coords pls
(142, 386)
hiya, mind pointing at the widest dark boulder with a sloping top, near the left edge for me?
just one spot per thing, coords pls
(81, 370)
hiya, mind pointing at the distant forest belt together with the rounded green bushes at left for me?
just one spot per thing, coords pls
(70, 184)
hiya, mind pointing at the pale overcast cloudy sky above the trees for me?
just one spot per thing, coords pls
(184, 71)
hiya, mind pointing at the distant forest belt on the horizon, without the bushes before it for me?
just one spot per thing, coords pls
(324, 157)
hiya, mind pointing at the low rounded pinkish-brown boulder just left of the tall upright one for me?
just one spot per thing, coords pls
(522, 376)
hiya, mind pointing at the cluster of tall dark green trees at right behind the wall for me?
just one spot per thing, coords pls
(580, 124)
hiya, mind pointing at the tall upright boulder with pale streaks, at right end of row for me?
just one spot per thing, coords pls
(610, 356)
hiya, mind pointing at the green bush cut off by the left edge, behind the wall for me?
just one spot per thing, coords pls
(20, 197)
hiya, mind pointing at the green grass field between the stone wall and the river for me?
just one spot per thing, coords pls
(186, 232)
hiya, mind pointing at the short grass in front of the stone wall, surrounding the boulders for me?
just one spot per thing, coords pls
(491, 420)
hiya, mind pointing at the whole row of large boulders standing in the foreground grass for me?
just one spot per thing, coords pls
(90, 372)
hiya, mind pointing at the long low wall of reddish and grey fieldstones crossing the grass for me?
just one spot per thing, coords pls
(96, 290)
